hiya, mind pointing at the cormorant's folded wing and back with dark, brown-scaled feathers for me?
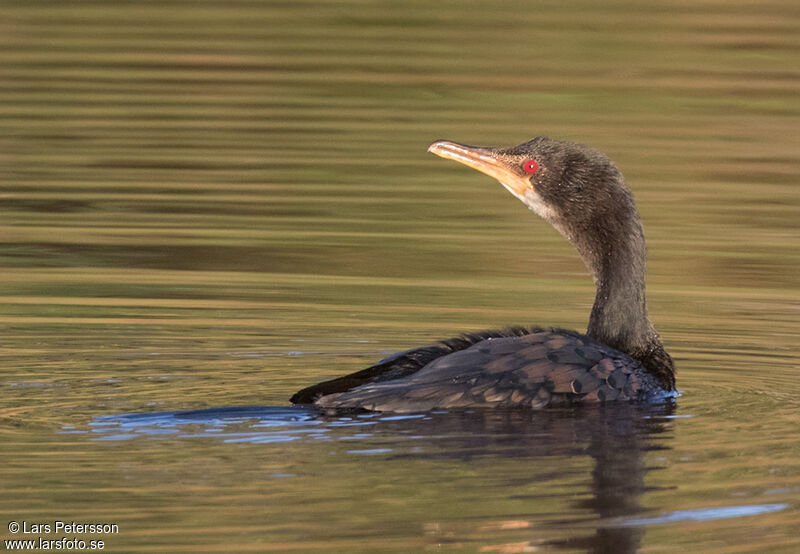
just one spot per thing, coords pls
(537, 369)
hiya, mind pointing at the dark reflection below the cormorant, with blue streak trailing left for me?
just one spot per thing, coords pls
(615, 438)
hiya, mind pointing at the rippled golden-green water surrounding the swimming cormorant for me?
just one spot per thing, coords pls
(207, 206)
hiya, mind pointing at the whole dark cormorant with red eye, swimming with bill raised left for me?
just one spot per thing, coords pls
(582, 194)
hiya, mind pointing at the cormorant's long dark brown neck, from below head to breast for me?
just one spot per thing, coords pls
(615, 252)
